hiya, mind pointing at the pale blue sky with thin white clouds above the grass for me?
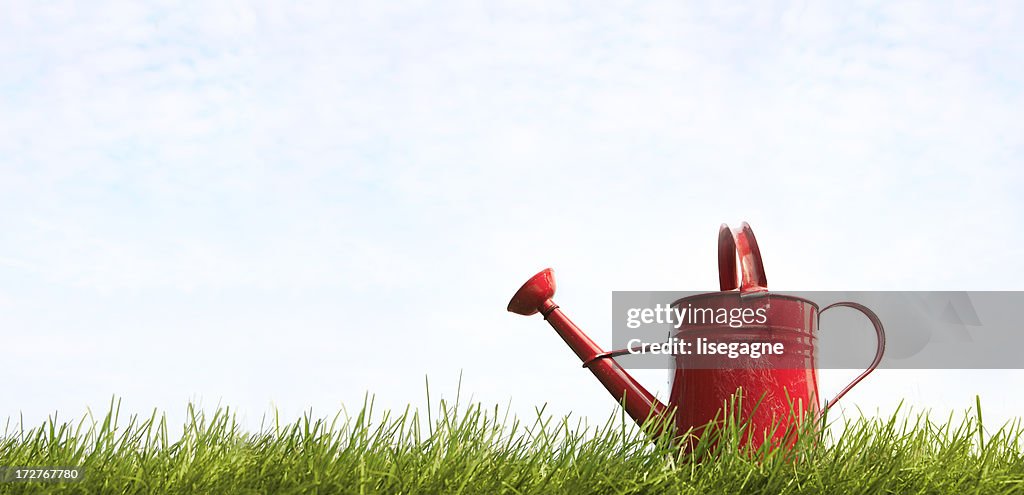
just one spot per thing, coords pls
(274, 204)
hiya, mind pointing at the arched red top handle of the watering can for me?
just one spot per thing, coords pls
(741, 244)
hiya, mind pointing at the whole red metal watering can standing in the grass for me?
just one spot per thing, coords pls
(778, 391)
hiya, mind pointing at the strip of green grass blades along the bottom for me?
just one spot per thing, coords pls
(473, 449)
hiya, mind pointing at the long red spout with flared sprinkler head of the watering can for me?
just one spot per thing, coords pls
(536, 297)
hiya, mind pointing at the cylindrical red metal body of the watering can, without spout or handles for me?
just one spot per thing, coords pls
(777, 391)
